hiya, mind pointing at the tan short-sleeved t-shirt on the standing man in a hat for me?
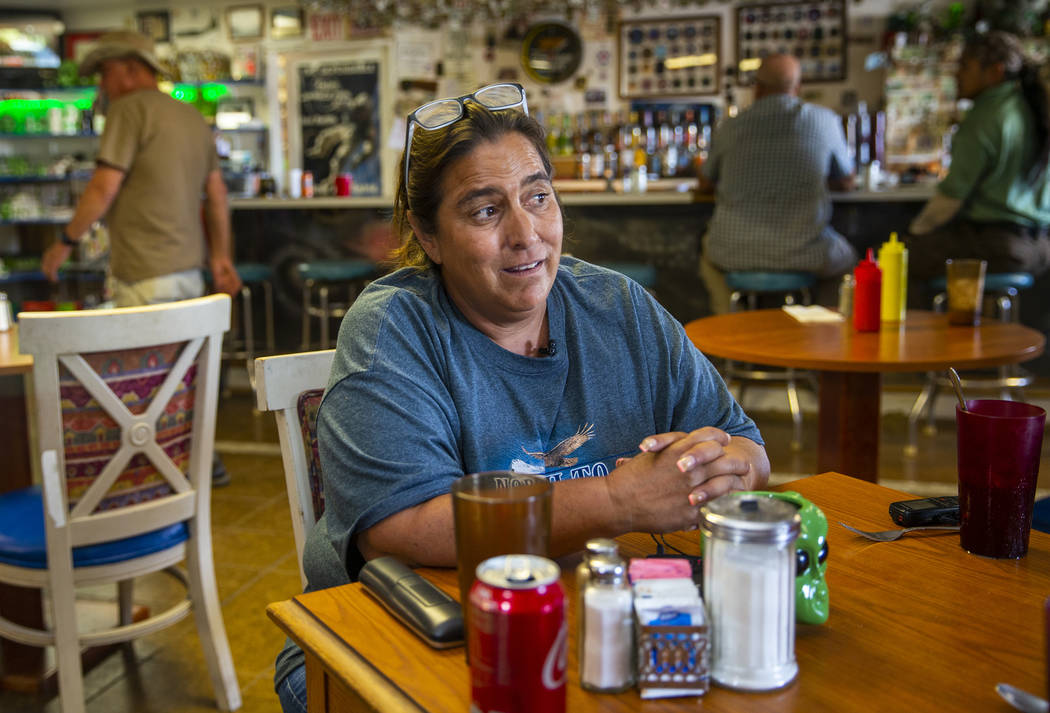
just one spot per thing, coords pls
(166, 152)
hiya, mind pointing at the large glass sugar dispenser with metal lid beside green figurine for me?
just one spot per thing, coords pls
(749, 585)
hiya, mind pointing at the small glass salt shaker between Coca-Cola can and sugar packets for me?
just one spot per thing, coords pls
(605, 616)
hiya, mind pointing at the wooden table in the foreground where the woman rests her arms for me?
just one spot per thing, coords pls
(916, 625)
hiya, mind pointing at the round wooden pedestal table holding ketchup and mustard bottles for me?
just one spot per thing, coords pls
(851, 366)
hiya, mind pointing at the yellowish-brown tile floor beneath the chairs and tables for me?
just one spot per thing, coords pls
(256, 560)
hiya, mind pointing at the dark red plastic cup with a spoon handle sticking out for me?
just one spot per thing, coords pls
(999, 464)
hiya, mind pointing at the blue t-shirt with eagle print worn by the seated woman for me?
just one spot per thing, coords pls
(419, 397)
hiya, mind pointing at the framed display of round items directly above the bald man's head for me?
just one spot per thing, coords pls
(815, 32)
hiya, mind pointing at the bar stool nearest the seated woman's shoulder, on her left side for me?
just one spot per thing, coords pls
(326, 276)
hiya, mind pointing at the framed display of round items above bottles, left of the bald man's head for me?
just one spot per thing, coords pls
(670, 57)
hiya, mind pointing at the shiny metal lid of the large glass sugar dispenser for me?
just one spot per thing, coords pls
(747, 518)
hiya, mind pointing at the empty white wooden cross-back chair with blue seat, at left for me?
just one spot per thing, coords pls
(125, 404)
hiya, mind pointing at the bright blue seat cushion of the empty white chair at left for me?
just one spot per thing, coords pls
(23, 540)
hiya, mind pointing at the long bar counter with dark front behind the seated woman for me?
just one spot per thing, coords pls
(661, 227)
